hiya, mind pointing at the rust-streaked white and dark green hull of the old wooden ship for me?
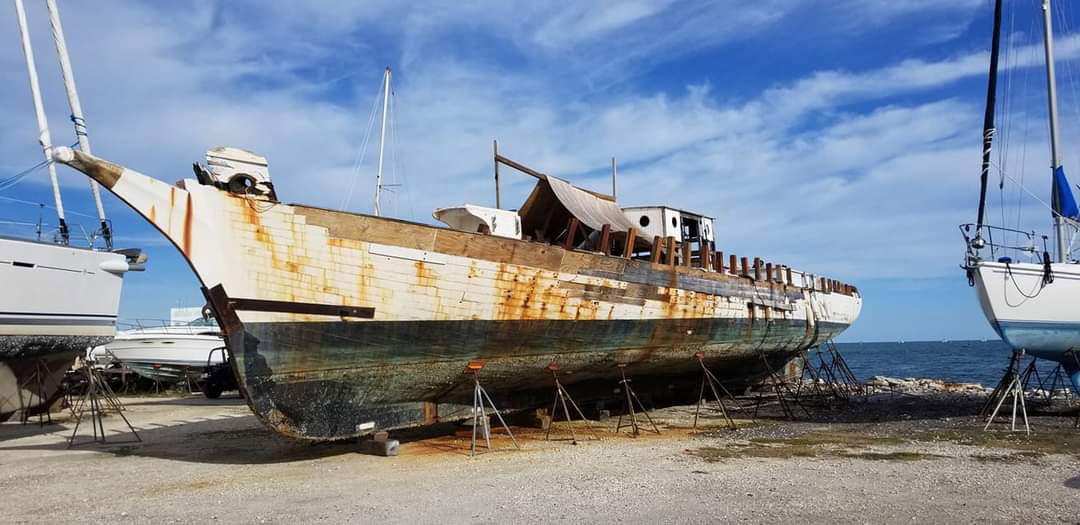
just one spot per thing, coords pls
(343, 325)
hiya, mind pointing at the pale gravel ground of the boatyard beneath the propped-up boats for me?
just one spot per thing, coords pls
(894, 460)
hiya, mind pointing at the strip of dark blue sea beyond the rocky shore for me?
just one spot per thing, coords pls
(966, 361)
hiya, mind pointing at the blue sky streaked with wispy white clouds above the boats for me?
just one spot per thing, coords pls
(842, 140)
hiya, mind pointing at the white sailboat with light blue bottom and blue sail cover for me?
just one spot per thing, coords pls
(1031, 298)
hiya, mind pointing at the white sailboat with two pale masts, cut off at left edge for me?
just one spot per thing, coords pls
(59, 299)
